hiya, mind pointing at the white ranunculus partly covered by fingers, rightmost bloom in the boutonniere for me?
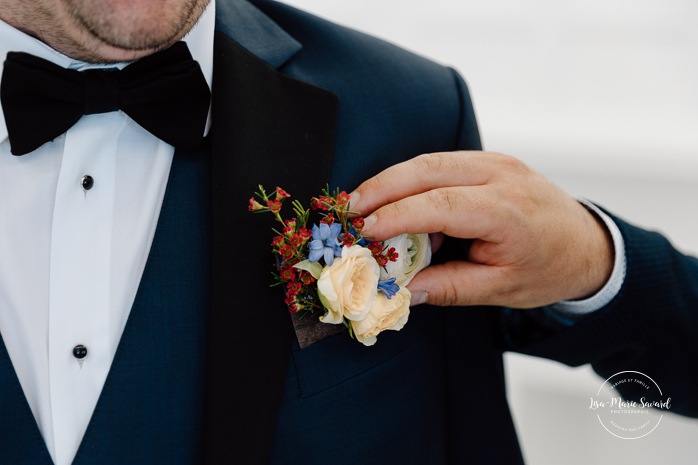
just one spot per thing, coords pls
(414, 254)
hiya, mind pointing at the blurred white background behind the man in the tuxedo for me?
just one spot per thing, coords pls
(602, 97)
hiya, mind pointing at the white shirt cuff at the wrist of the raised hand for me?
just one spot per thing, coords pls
(574, 308)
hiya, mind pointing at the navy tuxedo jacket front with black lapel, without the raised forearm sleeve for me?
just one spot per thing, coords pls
(431, 393)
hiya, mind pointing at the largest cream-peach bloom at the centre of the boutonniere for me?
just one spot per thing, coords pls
(348, 288)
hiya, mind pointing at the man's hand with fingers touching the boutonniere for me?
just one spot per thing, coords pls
(533, 244)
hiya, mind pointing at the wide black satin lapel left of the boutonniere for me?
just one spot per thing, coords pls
(270, 129)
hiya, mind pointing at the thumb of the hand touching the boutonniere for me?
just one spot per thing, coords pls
(458, 283)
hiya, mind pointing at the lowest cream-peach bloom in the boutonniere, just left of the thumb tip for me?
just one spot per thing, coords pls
(384, 314)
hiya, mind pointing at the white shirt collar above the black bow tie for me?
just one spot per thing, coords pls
(199, 40)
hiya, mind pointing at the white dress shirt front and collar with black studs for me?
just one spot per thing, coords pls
(71, 259)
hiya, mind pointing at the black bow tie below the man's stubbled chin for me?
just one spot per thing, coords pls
(166, 93)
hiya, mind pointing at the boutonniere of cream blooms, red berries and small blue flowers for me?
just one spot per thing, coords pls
(332, 273)
